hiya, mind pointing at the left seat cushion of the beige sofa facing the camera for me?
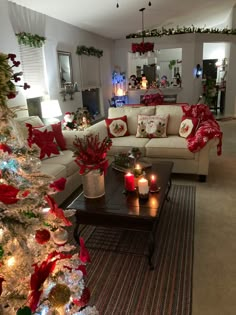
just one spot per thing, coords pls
(124, 144)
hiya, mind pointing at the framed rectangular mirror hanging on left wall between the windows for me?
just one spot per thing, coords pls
(65, 67)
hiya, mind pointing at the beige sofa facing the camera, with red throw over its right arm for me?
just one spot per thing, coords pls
(173, 147)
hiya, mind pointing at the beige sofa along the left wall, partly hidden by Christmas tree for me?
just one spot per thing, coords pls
(58, 166)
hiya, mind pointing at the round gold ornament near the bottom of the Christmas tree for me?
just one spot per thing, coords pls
(59, 295)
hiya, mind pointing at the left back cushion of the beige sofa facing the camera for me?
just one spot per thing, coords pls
(132, 113)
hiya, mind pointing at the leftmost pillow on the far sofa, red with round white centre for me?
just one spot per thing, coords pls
(117, 127)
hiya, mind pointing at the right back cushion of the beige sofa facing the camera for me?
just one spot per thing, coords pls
(175, 116)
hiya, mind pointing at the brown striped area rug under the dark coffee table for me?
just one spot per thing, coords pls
(122, 283)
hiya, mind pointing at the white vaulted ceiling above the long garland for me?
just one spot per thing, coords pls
(104, 18)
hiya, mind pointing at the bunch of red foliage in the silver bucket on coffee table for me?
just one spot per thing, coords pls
(91, 153)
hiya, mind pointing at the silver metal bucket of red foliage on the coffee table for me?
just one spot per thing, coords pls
(91, 158)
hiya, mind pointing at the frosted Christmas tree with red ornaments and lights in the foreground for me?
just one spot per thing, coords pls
(40, 272)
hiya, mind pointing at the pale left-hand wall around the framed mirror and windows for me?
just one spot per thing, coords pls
(61, 36)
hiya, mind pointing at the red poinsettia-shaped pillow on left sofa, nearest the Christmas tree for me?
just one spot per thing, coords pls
(44, 138)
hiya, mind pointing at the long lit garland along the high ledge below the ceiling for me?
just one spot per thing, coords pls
(181, 30)
